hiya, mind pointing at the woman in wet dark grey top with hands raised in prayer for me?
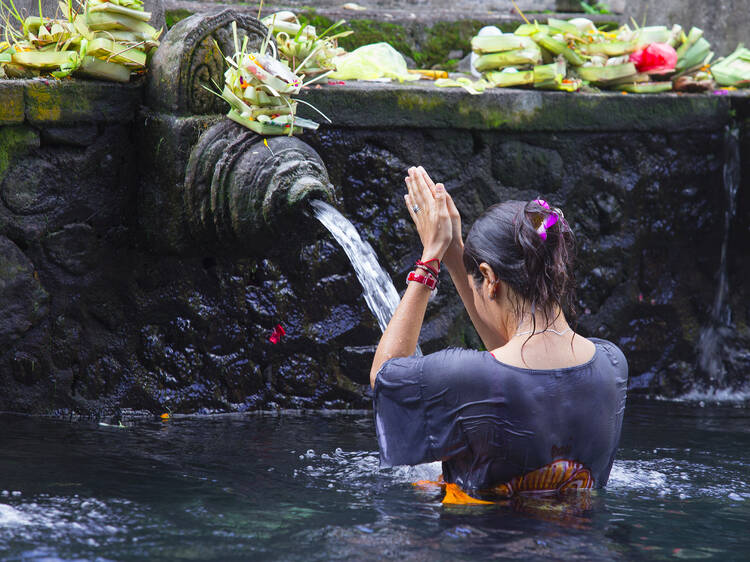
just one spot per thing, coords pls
(542, 410)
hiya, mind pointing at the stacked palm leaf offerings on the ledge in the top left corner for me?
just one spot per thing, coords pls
(103, 39)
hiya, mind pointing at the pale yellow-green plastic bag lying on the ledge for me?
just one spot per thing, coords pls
(370, 62)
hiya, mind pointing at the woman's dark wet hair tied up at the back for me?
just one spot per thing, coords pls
(538, 271)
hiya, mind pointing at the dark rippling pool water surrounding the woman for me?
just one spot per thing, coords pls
(308, 487)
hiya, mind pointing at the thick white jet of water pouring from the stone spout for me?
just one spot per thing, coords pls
(380, 294)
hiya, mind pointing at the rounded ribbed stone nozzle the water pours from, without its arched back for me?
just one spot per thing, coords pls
(236, 185)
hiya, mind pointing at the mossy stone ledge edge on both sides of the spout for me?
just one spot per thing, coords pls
(385, 105)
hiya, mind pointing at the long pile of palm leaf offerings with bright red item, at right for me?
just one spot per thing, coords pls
(638, 60)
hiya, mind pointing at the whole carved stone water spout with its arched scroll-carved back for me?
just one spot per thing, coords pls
(212, 183)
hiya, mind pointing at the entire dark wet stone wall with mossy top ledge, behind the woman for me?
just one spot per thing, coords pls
(105, 309)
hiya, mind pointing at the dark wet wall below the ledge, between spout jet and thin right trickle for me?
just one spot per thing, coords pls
(647, 210)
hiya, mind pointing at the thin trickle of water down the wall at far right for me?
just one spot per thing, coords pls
(710, 344)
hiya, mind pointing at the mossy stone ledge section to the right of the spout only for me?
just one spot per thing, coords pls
(368, 104)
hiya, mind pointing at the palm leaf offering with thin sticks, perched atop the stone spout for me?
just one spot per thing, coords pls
(259, 90)
